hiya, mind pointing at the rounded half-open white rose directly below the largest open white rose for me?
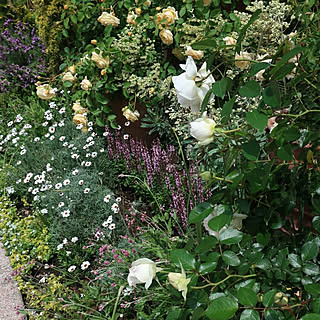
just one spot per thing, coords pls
(202, 129)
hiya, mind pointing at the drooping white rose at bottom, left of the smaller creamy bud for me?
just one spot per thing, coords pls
(142, 271)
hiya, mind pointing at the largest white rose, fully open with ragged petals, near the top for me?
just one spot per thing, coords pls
(192, 85)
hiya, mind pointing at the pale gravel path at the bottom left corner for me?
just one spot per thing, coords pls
(10, 297)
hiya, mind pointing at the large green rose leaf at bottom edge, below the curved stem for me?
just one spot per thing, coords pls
(222, 308)
